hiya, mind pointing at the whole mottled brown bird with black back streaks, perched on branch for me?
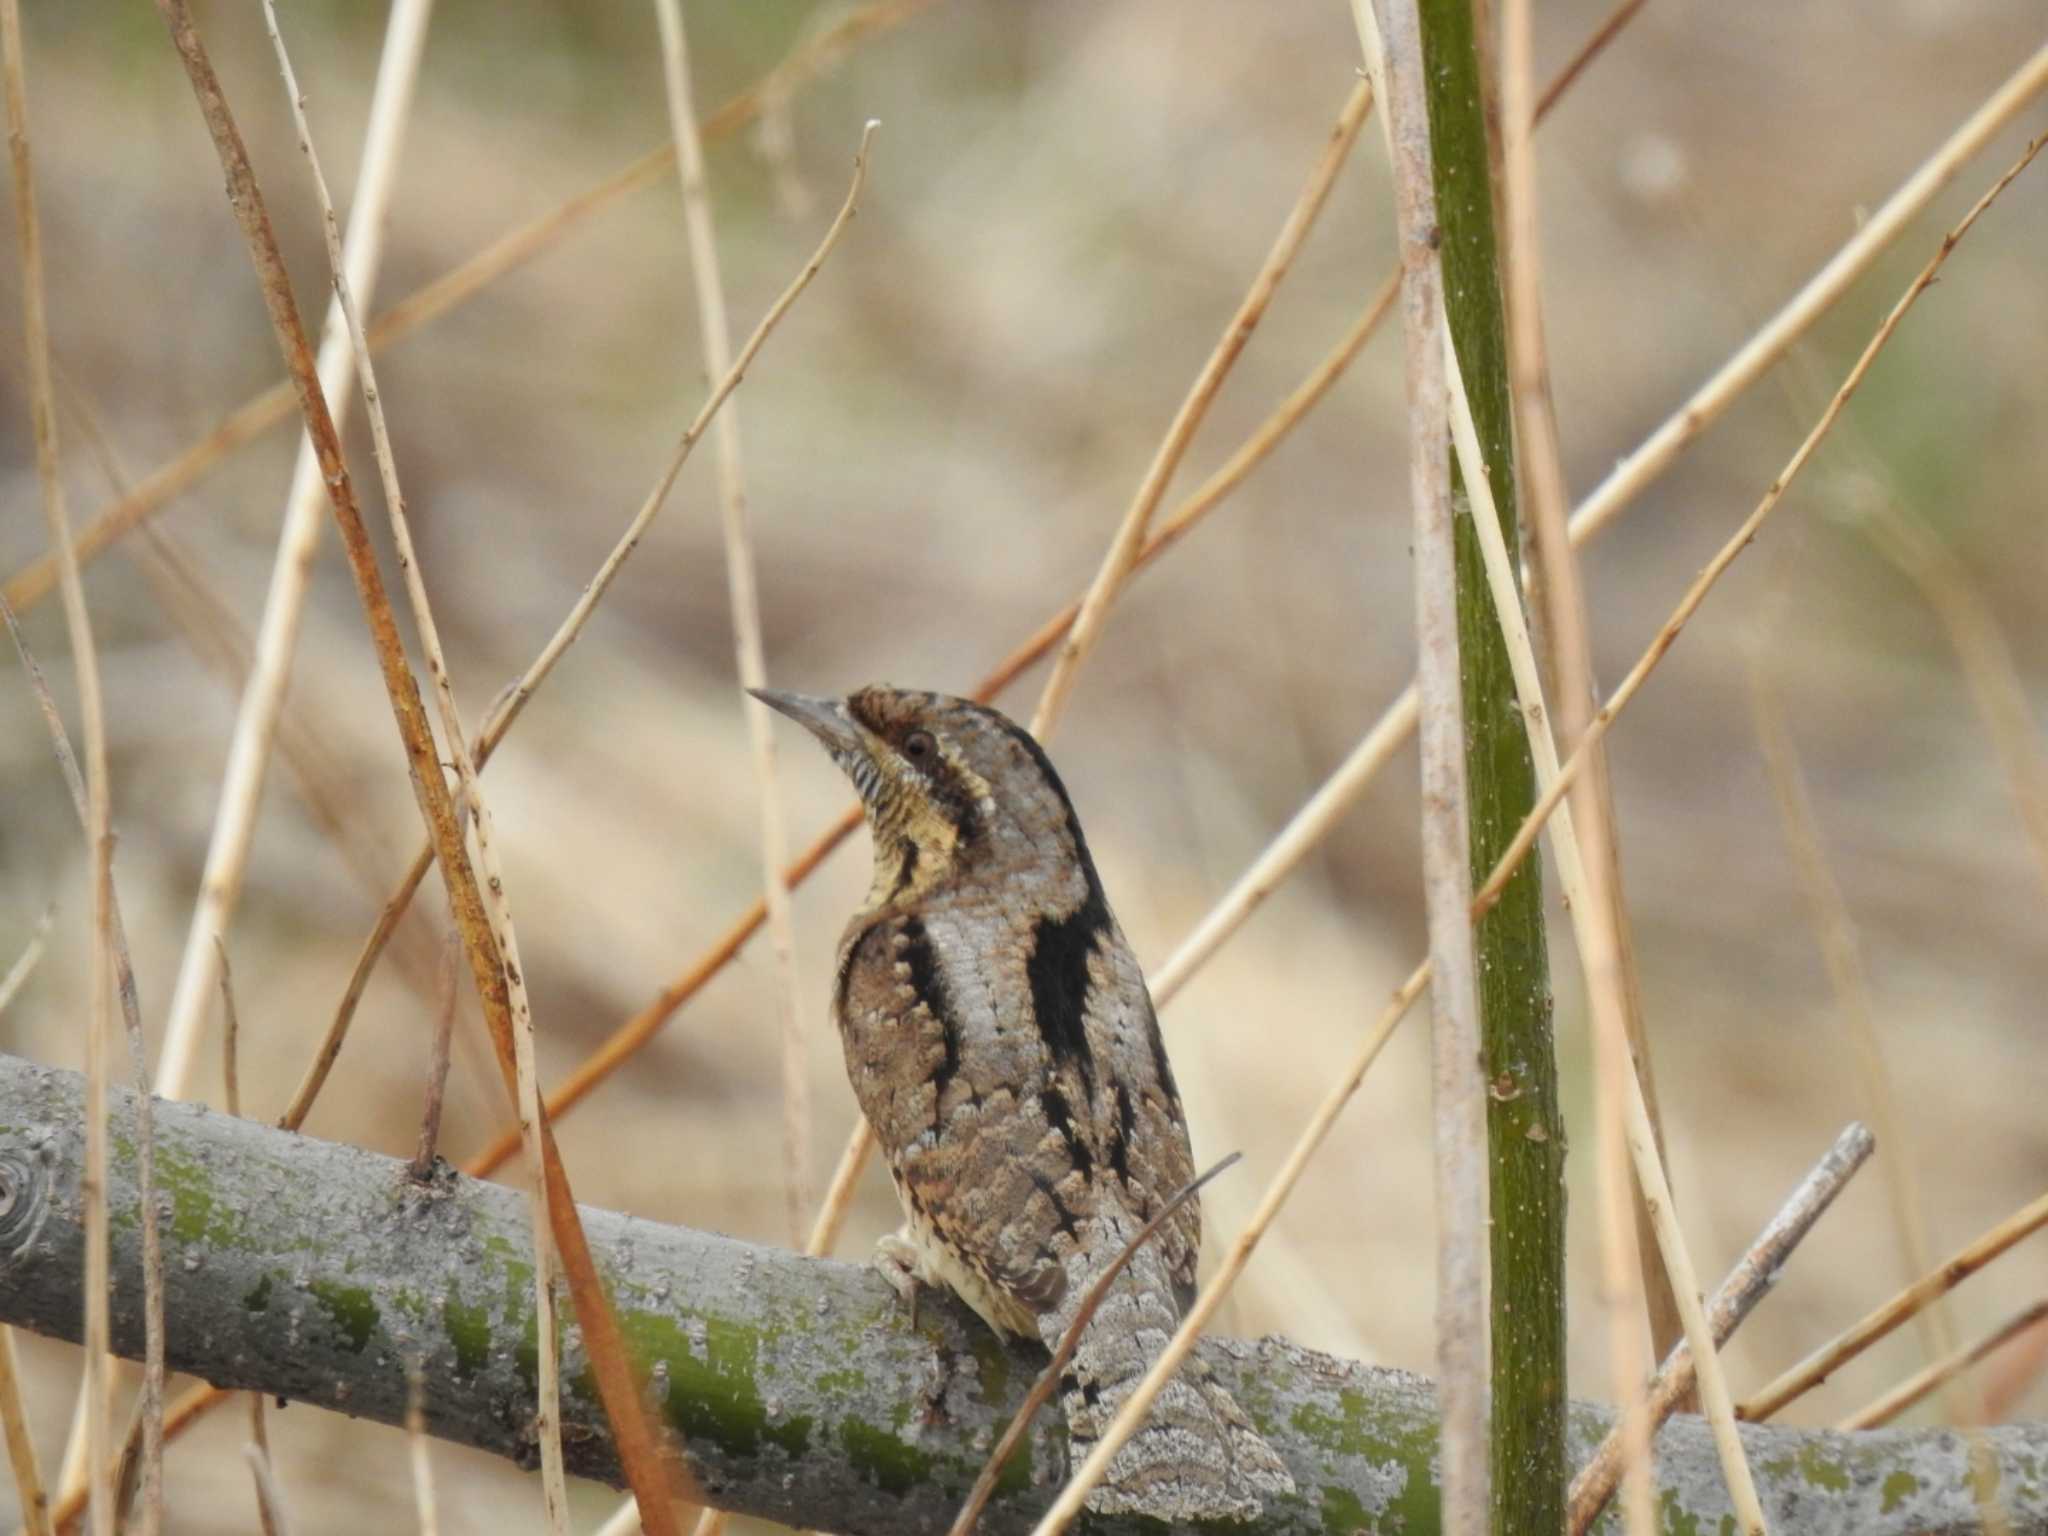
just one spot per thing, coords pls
(1002, 1043)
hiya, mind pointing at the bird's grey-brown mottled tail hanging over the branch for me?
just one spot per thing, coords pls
(1197, 1455)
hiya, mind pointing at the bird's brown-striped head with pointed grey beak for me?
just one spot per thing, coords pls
(945, 783)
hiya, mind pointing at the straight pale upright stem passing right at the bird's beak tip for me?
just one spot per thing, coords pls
(742, 585)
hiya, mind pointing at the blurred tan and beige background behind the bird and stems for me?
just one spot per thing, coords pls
(1066, 206)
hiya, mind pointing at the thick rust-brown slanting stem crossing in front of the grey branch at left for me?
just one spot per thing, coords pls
(620, 1394)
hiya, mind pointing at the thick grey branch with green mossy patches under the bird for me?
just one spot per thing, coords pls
(316, 1271)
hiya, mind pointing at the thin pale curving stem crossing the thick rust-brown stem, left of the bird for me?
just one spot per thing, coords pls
(546, 1263)
